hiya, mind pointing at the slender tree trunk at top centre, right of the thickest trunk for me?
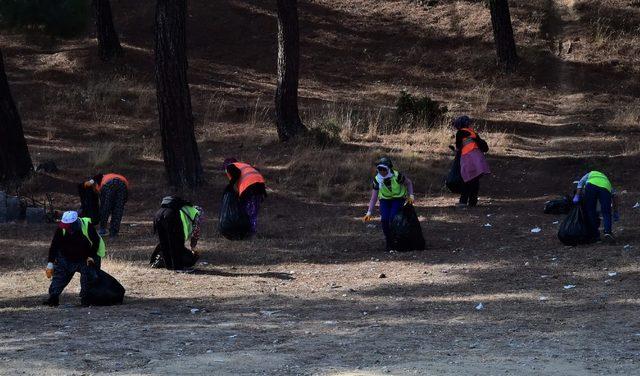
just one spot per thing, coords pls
(287, 116)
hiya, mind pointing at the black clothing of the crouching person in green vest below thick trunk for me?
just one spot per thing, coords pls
(171, 252)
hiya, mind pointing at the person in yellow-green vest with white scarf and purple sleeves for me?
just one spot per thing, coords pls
(393, 189)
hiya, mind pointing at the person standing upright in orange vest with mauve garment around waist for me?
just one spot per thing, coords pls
(473, 165)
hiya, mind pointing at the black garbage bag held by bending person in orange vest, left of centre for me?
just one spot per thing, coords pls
(234, 221)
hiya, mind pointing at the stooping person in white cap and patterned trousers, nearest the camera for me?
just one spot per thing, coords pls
(76, 247)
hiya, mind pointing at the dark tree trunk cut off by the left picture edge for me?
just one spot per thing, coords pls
(15, 161)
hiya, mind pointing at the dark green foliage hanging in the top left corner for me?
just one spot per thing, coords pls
(62, 18)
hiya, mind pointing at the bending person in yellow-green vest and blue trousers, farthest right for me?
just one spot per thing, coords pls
(595, 188)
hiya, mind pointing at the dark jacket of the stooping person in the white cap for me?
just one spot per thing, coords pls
(74, 246)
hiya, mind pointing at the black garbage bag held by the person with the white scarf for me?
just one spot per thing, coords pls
(406, 232)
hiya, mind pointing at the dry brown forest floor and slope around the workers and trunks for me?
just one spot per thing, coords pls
(306, 296)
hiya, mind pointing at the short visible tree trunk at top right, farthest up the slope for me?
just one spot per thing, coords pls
(503, 34)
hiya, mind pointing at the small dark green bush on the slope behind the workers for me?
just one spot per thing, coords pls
(419, 111)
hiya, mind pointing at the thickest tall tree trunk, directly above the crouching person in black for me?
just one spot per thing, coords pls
(179, 147)
